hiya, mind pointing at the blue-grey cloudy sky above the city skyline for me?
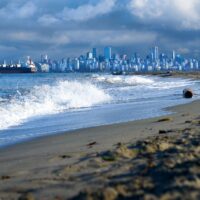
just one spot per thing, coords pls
(64, 28)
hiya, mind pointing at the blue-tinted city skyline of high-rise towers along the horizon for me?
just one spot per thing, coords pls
(109, 62)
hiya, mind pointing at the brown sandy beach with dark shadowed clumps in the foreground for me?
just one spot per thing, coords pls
(148, 159)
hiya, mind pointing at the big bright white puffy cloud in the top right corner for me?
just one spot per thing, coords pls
(183, 14)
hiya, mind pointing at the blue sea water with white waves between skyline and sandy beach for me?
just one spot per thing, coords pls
(33, 105)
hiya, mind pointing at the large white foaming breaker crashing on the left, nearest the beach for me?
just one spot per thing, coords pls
(46, 99)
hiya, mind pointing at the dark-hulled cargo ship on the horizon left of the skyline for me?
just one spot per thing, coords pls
(27, 67)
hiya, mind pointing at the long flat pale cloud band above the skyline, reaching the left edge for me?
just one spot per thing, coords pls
(102, 38)
